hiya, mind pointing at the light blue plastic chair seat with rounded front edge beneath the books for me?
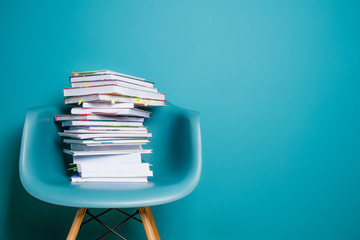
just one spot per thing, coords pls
(110, 195)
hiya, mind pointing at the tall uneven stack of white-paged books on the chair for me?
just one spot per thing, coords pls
(105, 135)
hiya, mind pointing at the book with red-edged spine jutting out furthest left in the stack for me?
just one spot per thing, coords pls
(93, 117)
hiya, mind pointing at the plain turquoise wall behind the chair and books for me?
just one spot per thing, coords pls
(277, 85)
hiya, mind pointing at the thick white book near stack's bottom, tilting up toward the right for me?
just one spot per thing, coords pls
(108, 159)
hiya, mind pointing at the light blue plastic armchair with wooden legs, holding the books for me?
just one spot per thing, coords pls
(176, 161)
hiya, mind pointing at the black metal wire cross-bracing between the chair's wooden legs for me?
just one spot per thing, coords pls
(111, 230)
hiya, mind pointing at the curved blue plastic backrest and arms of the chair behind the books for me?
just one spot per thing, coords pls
(176, 145)
